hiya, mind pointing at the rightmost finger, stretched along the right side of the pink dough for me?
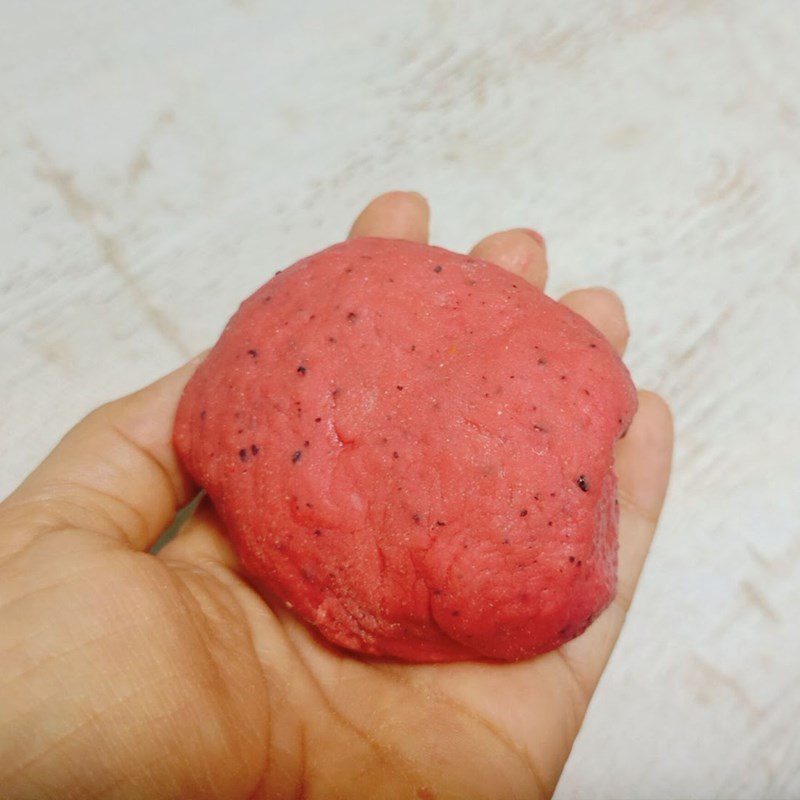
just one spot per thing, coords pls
(643, 459)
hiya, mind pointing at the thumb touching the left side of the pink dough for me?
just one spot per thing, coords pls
(115, 473)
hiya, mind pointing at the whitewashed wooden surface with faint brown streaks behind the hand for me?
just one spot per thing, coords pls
(159, 160)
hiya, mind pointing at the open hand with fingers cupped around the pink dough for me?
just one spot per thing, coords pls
(127, 674)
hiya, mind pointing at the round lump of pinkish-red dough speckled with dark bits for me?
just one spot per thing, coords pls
(413, 448)
